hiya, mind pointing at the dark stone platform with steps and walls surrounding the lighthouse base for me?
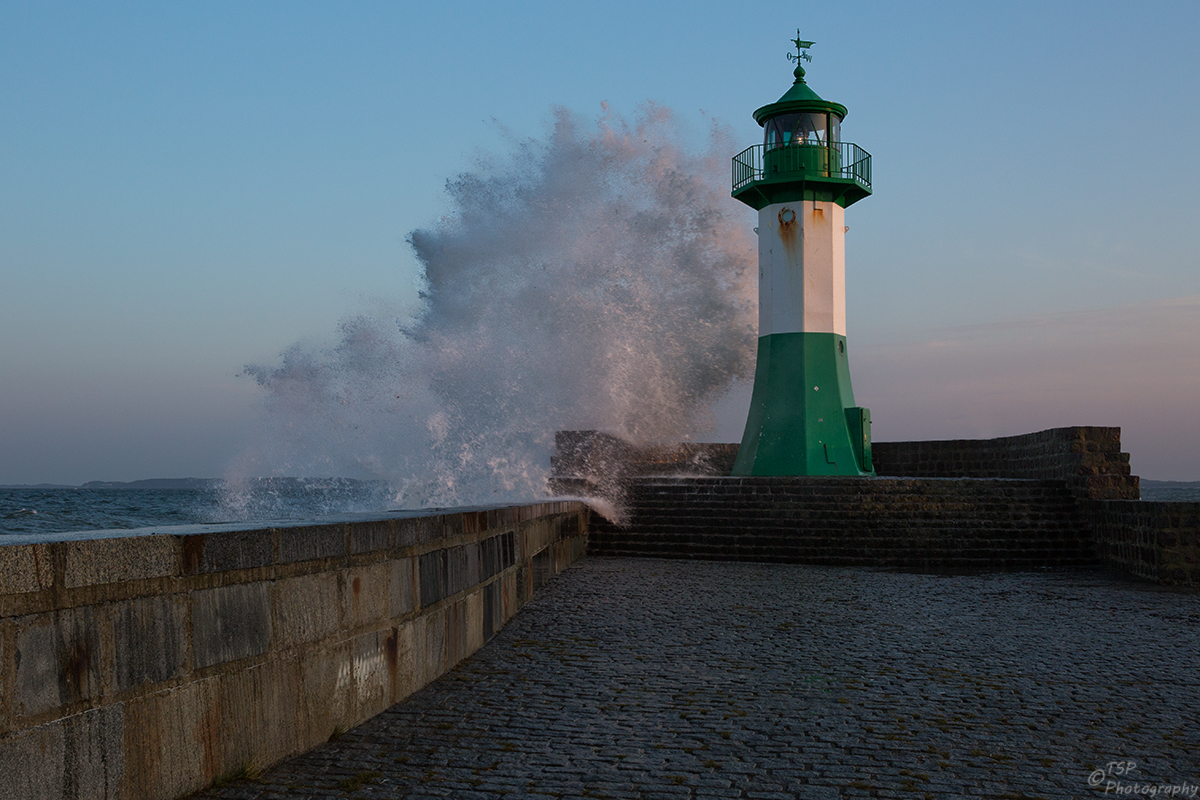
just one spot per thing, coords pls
(953, 504)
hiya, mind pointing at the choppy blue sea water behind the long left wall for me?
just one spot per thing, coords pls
(26, 512)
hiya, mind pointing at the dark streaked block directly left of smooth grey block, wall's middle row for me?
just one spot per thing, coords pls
(149, 640)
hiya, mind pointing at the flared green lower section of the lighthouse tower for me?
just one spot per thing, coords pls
(803, 419)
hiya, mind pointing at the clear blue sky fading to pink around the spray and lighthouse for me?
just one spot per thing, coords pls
(189, 189)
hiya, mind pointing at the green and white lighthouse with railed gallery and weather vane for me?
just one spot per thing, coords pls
(801, 181)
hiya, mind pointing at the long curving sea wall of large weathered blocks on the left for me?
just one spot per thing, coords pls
(149, 666)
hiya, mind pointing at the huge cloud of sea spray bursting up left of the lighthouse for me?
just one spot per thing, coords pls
(599, 278)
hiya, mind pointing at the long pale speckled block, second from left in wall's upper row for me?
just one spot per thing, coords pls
(127, 558)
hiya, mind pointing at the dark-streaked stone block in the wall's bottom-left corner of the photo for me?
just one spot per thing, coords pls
(76, 757)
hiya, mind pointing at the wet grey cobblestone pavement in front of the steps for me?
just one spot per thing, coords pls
(641, 678)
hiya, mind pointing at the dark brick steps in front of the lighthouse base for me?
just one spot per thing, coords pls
(925, 525)
